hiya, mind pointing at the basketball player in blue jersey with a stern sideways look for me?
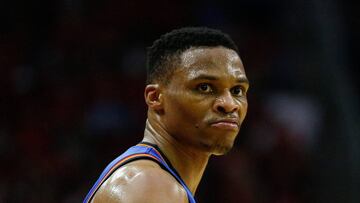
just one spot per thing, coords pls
(196, 98)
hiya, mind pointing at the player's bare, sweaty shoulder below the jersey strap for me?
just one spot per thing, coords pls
(141, 181)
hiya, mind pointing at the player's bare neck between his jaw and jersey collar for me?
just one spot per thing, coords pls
(188, 162)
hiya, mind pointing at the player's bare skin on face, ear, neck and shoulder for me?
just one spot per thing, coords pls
(196, 115)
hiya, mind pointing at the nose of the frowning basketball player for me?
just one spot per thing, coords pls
(225, 104)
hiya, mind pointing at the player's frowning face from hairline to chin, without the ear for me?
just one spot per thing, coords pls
(205, 101)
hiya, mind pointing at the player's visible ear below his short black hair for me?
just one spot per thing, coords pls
(153, 97)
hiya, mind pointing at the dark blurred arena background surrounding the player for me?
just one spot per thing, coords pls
(72, 75)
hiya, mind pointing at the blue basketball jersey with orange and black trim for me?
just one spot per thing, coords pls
(142, 150)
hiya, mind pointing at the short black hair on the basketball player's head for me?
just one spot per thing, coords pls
(162, 54)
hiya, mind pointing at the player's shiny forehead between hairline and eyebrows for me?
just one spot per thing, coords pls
(217, 60)
